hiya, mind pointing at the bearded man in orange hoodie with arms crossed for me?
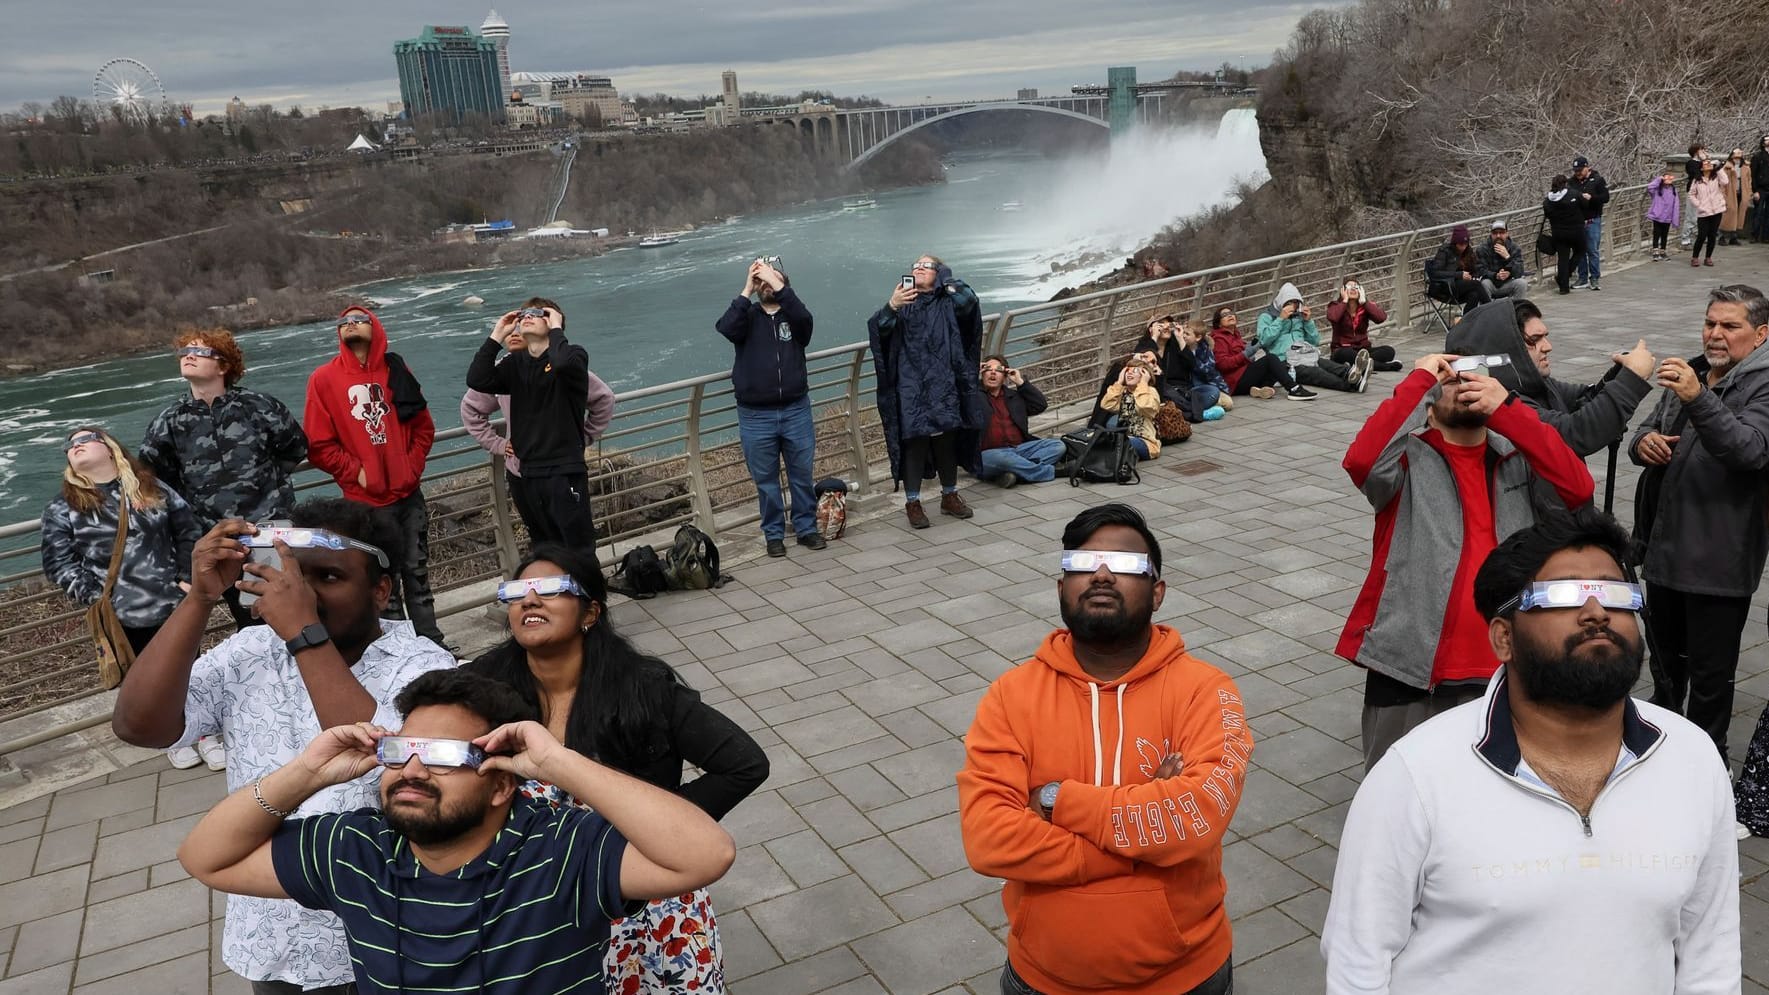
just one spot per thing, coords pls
(1099, 780)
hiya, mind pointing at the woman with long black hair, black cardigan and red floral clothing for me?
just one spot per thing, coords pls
(606, 700)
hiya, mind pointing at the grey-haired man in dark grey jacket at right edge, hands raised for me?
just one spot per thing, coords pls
(1701, 505)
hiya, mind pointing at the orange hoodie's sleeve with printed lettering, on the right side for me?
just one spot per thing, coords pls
(1172, 821)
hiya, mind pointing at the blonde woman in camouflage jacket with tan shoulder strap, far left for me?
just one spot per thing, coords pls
(80, 532)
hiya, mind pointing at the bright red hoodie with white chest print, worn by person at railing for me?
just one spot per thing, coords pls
(367, 422)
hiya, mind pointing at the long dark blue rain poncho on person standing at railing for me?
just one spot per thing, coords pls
(926, 359)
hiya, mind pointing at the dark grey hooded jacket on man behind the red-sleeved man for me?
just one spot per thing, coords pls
(1589, 417)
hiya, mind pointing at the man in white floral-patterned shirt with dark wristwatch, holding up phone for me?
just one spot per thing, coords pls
(323, 659)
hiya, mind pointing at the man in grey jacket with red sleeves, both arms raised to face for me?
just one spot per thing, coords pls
(1451, 465)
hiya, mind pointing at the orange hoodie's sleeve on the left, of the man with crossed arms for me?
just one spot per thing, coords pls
(1004, 838)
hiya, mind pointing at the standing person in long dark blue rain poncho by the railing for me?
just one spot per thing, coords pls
(926, 353)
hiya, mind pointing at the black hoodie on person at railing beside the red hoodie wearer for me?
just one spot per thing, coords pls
(548, 401)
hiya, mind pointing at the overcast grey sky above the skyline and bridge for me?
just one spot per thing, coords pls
(341, 52)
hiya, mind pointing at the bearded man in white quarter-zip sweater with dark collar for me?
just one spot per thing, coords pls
(1558, 835)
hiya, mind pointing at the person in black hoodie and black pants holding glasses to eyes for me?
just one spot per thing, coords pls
(549, 390)
